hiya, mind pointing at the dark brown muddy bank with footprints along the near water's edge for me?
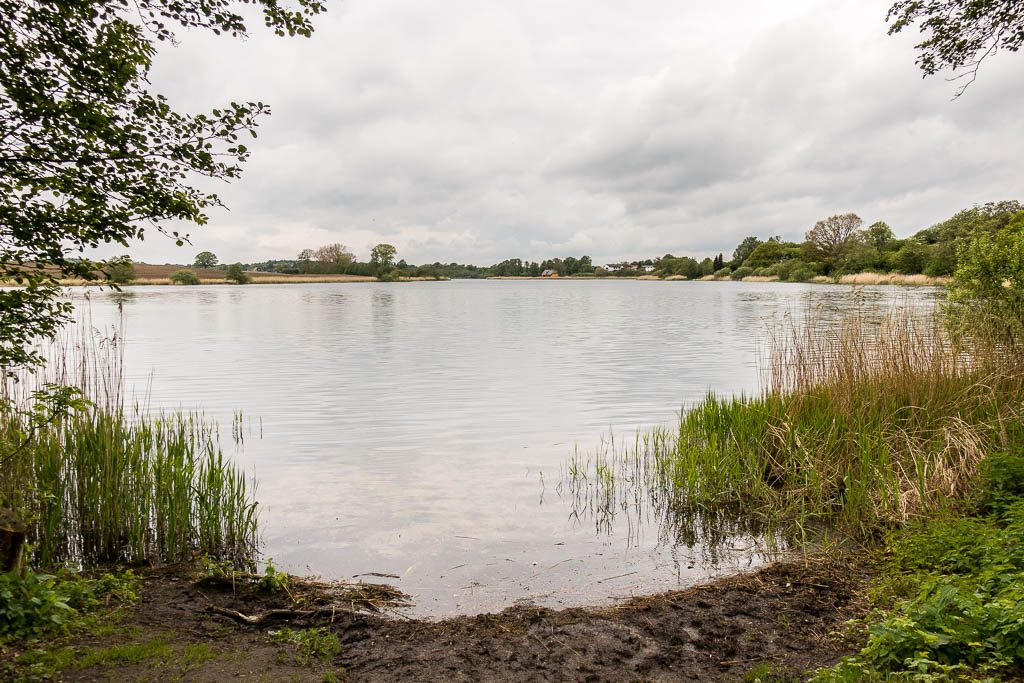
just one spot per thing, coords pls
(779, 618)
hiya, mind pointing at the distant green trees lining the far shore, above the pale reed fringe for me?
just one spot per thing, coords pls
(835, 246)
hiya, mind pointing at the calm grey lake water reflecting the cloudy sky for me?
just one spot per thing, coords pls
(420, 430)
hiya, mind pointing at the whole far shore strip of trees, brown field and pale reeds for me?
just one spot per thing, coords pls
(837, 250)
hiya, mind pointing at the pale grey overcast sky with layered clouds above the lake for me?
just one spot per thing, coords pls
(479, 131)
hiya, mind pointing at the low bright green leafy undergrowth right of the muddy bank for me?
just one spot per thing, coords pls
(965, 579)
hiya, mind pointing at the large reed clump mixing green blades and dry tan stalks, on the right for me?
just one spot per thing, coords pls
(861, 424)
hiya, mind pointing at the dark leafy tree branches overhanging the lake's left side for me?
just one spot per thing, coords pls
(89, 155)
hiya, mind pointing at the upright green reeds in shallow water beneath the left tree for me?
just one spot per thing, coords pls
(111, 483)
